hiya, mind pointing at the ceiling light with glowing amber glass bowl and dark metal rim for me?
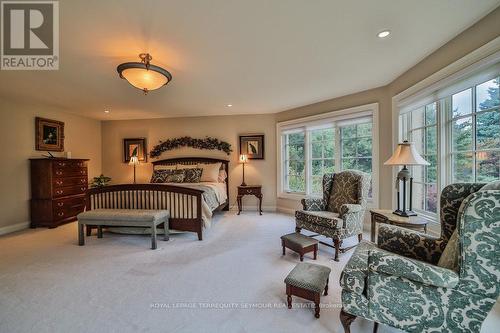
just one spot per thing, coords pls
(143, 75)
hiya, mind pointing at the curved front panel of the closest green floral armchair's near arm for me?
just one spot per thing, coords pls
(353, 277)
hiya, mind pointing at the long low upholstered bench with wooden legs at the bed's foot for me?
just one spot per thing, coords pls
(123, 218)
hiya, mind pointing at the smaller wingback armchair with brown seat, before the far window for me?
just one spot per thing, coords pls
(339, 214)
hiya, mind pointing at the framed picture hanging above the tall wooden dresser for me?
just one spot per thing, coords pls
(49, 134)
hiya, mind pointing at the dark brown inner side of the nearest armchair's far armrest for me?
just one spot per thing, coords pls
(409, 243)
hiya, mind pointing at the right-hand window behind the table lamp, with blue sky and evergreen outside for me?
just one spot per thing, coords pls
(459, 135)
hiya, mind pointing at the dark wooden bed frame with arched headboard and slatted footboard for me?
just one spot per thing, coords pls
(159, 196)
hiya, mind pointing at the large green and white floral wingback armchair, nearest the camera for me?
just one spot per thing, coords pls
(420, 283)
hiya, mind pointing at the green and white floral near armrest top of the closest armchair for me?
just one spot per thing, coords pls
(418, 271)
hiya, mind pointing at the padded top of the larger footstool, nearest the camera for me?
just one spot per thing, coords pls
(309, 276)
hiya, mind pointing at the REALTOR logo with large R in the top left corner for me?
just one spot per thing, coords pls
(29, 35)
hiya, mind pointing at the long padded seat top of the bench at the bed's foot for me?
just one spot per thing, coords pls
(140, 215)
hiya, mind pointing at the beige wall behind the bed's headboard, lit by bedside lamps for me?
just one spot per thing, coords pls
(225, 128)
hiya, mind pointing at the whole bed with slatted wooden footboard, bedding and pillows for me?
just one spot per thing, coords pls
(191, 205)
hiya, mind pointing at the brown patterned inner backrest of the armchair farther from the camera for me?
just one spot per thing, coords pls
(346, 189)
